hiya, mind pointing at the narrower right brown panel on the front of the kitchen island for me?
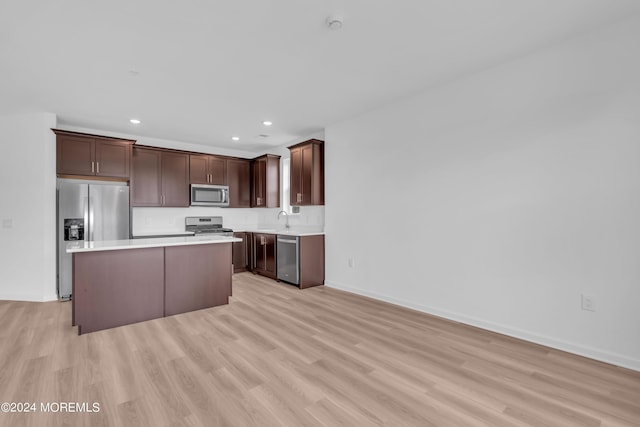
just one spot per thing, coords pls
(197, 277)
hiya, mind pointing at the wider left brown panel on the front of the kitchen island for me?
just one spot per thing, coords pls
(115, 288)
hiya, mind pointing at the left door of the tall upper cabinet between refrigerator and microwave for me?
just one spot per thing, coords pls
(146, 177)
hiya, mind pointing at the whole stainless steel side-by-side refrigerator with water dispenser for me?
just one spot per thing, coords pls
(90, 211)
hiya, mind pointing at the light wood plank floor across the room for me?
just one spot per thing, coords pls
(280, 356)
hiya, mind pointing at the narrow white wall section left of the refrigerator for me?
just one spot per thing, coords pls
(27, 207)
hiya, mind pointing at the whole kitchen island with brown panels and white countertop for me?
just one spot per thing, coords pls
(120, 282)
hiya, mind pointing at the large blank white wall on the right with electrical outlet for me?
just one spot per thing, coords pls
(515, 191)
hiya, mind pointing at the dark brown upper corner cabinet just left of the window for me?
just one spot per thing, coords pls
(265, 179)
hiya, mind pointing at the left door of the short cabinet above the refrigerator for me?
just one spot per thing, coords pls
(75, 155)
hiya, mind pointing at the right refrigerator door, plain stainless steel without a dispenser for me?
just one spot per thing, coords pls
(108, 212)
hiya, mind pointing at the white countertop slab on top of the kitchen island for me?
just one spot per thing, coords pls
(114, 245)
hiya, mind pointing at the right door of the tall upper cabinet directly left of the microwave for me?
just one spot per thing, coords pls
(175, 179)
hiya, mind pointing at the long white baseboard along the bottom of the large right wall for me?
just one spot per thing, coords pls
(592, 353)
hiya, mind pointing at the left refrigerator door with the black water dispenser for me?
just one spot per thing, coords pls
(73, 216)
